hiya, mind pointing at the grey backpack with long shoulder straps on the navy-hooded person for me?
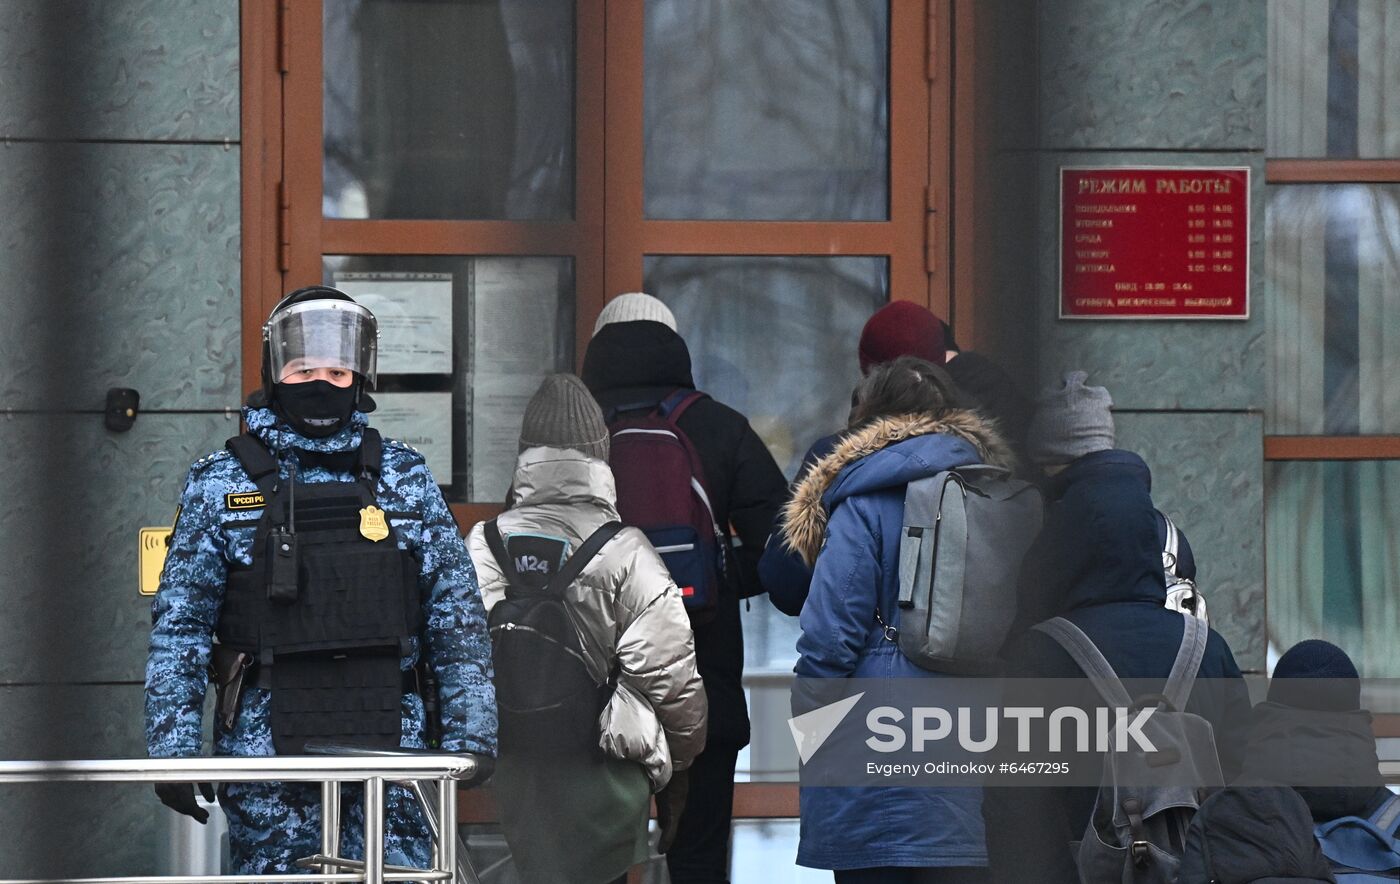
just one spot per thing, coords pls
(1147, 801)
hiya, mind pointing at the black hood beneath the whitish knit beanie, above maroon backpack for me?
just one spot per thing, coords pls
(636, 359)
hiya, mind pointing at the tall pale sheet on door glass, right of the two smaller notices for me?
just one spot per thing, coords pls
(516, 315)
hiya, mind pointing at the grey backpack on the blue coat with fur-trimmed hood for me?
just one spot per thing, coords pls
(964, 536)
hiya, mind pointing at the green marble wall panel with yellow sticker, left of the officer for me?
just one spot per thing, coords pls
(69, 539)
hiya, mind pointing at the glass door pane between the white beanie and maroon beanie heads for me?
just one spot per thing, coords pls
(775, 337)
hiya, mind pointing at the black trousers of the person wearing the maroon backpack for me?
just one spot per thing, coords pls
(702, 850)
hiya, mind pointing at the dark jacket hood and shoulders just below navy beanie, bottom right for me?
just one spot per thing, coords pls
(1305, 749)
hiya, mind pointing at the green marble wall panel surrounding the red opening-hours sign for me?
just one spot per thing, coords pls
(1200, 365)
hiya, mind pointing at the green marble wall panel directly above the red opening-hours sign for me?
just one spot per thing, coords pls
(1153, 74)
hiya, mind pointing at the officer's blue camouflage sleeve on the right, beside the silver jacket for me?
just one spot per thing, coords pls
(458, 645)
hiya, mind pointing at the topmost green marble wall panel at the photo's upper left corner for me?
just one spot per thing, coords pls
(120, 71)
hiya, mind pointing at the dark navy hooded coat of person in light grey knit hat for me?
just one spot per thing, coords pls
(1098, 562)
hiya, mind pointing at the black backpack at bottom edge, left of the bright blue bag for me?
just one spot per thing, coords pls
(1256, 834)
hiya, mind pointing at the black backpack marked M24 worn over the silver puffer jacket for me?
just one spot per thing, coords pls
(547, 700)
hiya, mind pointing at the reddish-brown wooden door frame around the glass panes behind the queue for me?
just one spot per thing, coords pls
(933, 229)
